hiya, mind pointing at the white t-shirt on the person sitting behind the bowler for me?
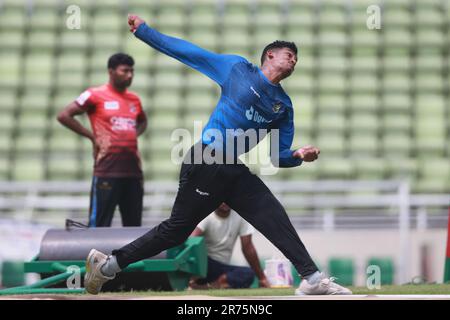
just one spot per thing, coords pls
(221, 233)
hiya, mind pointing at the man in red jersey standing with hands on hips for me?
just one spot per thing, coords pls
(117, 119)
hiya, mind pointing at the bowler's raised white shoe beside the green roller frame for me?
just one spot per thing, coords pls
(94, 278)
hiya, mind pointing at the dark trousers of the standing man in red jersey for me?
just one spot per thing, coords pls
(107, 193)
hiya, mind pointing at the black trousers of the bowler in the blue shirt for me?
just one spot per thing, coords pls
(202, 188)
